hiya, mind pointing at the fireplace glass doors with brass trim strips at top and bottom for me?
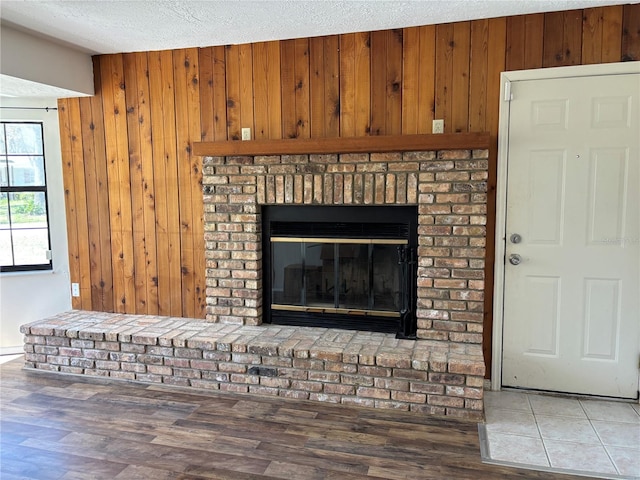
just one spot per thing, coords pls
(337, 275)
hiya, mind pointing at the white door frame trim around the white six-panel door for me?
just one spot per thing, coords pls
(506, 78)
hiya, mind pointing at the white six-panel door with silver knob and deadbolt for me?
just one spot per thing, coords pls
(571, 306)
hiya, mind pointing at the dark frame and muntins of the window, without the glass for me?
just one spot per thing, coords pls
(9, 189)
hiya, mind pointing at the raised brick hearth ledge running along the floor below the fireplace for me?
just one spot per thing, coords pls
(358, 368)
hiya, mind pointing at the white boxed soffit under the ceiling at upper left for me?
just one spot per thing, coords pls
(41, 63)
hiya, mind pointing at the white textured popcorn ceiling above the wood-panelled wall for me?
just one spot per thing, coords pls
(110, 26)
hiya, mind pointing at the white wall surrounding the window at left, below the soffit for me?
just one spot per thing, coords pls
(29, 296)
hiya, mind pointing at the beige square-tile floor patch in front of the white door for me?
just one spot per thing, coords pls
(581, 436)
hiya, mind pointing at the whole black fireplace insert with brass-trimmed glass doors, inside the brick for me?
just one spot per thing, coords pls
(351, 267)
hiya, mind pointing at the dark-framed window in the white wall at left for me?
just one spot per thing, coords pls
(24, 221)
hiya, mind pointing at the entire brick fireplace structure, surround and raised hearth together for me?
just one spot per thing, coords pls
(439, 373)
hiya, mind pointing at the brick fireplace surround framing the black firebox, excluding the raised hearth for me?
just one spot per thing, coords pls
(448, 187)
